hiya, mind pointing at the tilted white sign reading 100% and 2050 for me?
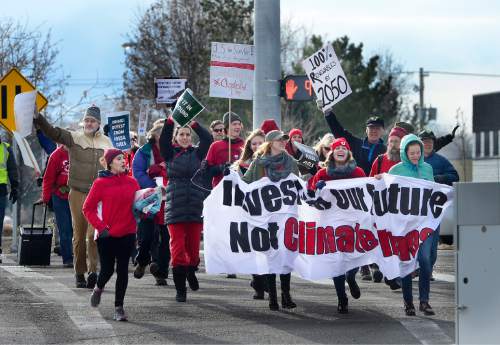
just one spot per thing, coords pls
(327, 77)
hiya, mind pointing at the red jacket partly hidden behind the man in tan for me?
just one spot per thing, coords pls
(55, 179)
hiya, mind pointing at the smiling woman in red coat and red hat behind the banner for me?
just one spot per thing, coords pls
(340, 165)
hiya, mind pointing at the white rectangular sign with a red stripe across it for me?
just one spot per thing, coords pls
(232, 70)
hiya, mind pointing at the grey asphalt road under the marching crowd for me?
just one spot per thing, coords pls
(41, 305)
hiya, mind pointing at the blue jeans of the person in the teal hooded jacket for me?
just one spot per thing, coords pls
(424, 277)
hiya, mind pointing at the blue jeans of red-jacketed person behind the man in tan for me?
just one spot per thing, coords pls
(63, 220)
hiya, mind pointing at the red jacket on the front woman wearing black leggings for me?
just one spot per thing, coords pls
(115, 194)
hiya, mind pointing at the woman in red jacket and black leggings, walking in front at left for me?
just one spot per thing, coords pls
(108, 208)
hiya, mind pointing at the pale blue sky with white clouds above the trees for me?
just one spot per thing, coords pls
(451, 35)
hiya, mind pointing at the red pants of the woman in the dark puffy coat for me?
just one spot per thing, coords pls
(185, 243)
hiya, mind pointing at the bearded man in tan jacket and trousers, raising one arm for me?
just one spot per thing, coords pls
(85, 149)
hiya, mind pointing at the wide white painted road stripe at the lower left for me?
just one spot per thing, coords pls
(88, 320)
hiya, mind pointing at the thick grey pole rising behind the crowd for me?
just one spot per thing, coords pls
(266, 85)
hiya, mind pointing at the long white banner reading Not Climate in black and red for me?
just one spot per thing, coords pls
(271, 228)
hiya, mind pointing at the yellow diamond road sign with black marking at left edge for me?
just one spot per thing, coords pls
(12, 84)
